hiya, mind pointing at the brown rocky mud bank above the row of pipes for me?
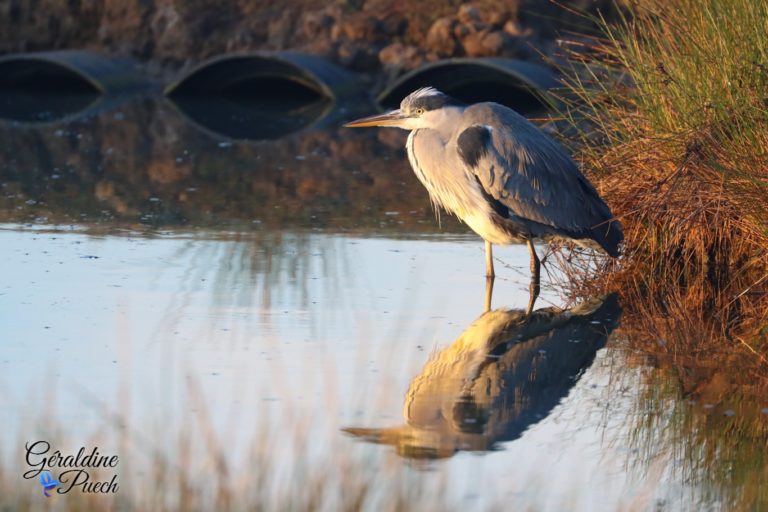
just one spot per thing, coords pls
(380, 38)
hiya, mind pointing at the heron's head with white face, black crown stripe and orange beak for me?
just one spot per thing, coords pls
(424, 108)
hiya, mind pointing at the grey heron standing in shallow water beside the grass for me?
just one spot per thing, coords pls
(506, 179)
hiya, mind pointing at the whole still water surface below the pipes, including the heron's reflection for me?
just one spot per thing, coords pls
(286, 320)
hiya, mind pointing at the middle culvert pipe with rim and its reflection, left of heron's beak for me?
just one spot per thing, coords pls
(262, 95)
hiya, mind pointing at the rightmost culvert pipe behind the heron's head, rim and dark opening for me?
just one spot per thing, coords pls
(519, 85)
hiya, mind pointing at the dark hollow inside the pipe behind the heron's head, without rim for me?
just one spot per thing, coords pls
(471, 83)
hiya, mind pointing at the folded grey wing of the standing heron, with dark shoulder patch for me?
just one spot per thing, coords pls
(533, 177)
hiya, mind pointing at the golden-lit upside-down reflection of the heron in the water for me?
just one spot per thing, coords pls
(507, 371)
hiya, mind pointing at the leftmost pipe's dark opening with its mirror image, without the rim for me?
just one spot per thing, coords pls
(33, 91)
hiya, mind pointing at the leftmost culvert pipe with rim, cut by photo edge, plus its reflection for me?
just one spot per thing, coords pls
(51, 87)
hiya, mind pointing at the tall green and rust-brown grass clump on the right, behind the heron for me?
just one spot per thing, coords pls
(676, 102)
